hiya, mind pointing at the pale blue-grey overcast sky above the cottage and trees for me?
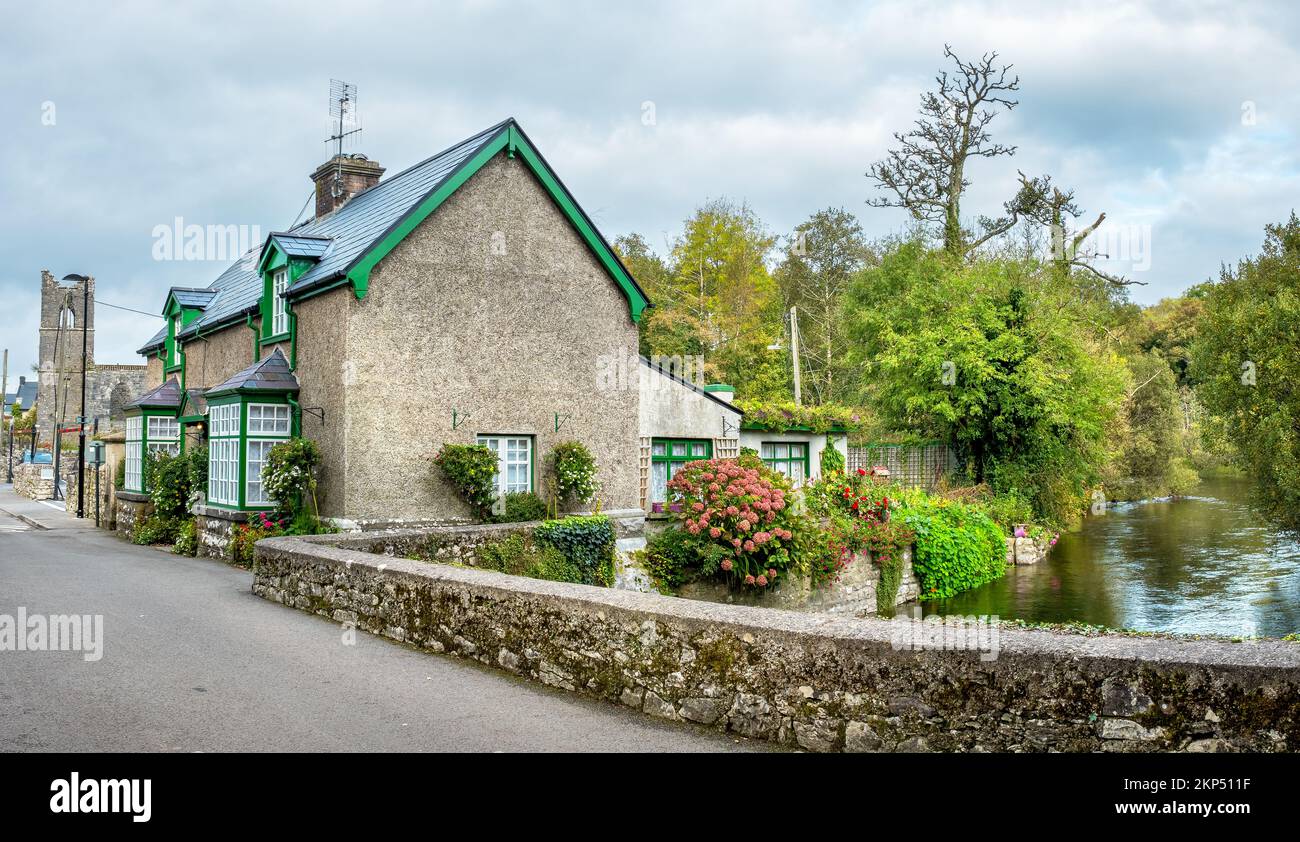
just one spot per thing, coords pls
(1180, 121)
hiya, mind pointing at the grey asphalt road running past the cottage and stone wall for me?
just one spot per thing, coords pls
(194, 662)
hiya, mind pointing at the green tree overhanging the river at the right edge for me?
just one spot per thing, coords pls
(1246, 362)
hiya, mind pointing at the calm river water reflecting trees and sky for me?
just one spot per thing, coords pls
(1203, 565)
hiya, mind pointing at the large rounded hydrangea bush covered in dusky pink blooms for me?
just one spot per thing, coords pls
(740, 507)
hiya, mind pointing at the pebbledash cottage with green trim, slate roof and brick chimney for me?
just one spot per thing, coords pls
(466, 300)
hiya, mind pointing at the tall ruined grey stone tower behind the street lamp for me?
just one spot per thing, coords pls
(63, 314)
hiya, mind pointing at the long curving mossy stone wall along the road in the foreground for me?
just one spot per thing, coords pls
(804, 680)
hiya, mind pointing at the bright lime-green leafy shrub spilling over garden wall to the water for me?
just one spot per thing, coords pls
(959, 548)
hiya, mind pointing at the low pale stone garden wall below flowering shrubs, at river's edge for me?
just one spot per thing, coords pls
(853, 593)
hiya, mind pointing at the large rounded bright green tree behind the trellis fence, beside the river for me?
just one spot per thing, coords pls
(989, 357)
